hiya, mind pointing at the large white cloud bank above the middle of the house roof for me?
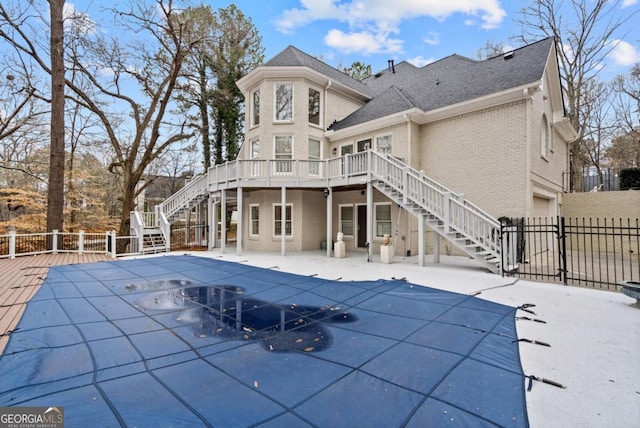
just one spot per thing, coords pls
(376, 20)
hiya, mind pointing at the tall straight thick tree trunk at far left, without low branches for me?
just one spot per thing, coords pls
(55, 190)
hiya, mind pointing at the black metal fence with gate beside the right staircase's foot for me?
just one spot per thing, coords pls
(597, 253)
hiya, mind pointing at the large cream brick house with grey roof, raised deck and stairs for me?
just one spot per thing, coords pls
(415, 153)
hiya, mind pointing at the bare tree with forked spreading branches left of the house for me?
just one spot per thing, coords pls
(149, 65)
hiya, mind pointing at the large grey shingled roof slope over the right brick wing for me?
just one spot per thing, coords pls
(449, 81)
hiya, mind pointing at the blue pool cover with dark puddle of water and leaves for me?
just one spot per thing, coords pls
(190, 341)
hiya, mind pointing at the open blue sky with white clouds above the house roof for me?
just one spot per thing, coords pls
(419, 31)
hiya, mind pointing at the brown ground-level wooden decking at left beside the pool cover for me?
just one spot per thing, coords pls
(20, 279)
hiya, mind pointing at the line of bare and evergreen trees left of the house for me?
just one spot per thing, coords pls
(141, 90)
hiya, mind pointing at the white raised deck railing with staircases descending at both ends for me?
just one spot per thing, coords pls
(464, 225)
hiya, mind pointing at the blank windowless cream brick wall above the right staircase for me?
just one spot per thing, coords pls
(467, 155)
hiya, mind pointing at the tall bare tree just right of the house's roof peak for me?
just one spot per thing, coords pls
(583, 44)
